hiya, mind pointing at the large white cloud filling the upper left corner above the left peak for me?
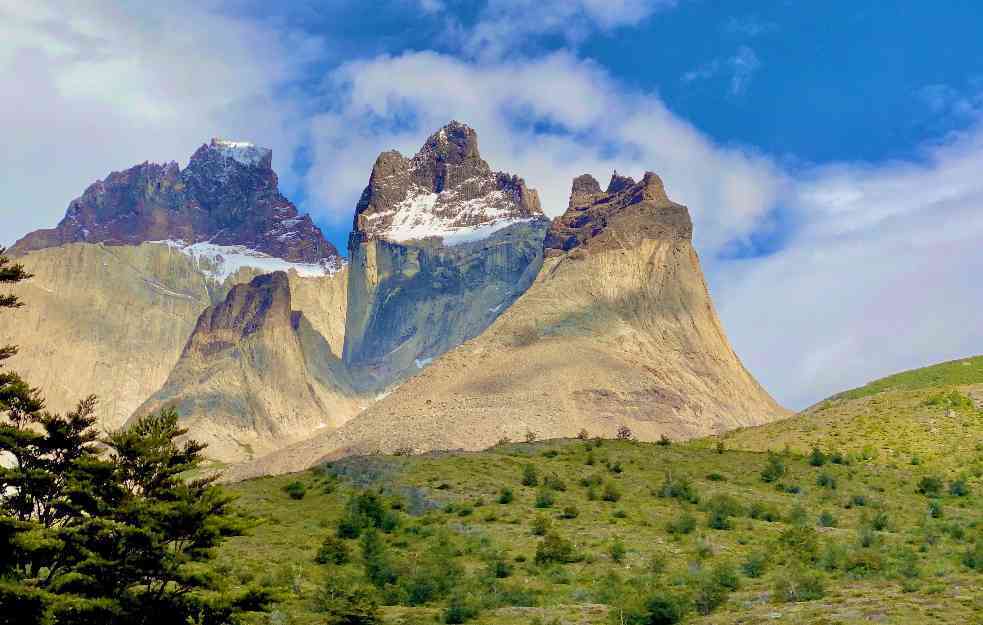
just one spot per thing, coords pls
(100, 87)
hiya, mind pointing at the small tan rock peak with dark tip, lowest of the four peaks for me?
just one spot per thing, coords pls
(255, 375)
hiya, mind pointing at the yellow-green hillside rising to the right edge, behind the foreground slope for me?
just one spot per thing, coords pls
(928, 416)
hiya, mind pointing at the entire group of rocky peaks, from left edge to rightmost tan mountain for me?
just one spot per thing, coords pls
(462, 315)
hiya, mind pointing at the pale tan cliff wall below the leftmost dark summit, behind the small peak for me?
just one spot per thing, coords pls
(113, 319)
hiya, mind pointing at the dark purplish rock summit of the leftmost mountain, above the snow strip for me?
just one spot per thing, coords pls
(227, 195)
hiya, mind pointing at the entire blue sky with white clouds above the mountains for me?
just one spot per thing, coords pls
(830, 152)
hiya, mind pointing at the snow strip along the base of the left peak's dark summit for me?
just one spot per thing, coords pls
(220, 262)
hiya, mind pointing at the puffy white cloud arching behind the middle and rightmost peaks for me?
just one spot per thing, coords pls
(595, 125)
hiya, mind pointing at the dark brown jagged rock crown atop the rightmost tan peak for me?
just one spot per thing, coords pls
(626, 213)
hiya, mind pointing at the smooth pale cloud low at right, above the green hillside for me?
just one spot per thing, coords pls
(883, 275)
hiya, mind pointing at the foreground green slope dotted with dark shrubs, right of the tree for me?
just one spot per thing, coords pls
(460, 533)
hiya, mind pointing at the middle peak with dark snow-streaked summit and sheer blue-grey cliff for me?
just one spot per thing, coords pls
(440, 246)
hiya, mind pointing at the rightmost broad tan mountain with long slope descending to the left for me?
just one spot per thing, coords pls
(619, 330)
